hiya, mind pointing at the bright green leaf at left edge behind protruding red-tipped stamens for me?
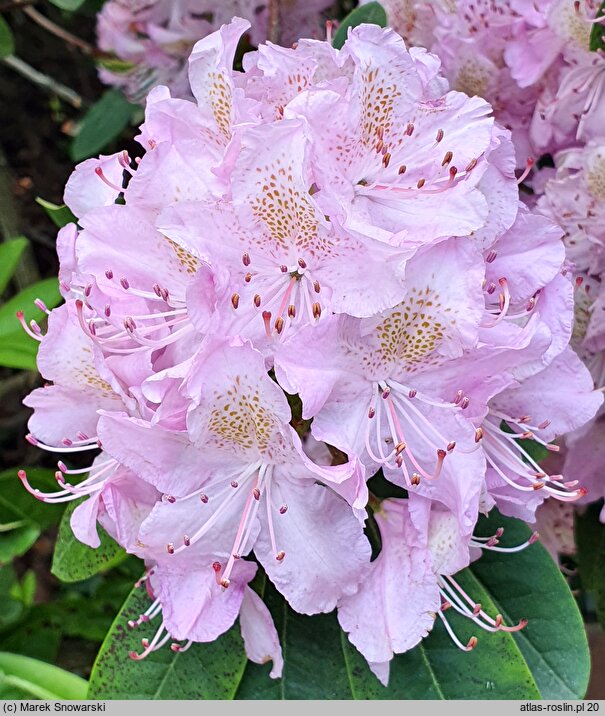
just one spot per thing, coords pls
(17, 349)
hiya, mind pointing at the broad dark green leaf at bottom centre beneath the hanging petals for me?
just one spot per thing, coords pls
(322, 664)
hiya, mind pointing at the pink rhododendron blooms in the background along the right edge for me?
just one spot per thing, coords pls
(536, 64)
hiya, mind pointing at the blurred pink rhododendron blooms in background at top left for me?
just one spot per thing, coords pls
(148, 42)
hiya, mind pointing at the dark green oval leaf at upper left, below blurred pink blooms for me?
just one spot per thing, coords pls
(103, 122)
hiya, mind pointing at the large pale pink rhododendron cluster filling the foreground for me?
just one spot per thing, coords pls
(267, 308)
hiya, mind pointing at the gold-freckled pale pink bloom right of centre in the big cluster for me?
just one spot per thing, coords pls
(373, 387)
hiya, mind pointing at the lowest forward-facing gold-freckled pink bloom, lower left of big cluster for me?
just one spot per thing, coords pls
(249, 463)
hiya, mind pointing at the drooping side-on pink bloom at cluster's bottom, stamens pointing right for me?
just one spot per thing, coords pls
(411, 584)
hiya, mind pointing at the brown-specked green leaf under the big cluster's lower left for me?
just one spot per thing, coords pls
(205, 671)
